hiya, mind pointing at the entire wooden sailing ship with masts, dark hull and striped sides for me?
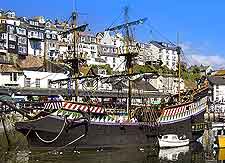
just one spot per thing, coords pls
(85, 125)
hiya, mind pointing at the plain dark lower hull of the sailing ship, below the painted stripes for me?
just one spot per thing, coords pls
(100, 134)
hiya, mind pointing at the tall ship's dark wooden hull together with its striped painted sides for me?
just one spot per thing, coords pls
(57, 131)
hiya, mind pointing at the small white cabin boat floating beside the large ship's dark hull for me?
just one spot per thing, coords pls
(172, 140)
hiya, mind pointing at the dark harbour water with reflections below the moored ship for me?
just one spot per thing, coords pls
(19, 152)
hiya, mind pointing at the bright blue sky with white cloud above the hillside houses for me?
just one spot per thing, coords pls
(199, 23)
